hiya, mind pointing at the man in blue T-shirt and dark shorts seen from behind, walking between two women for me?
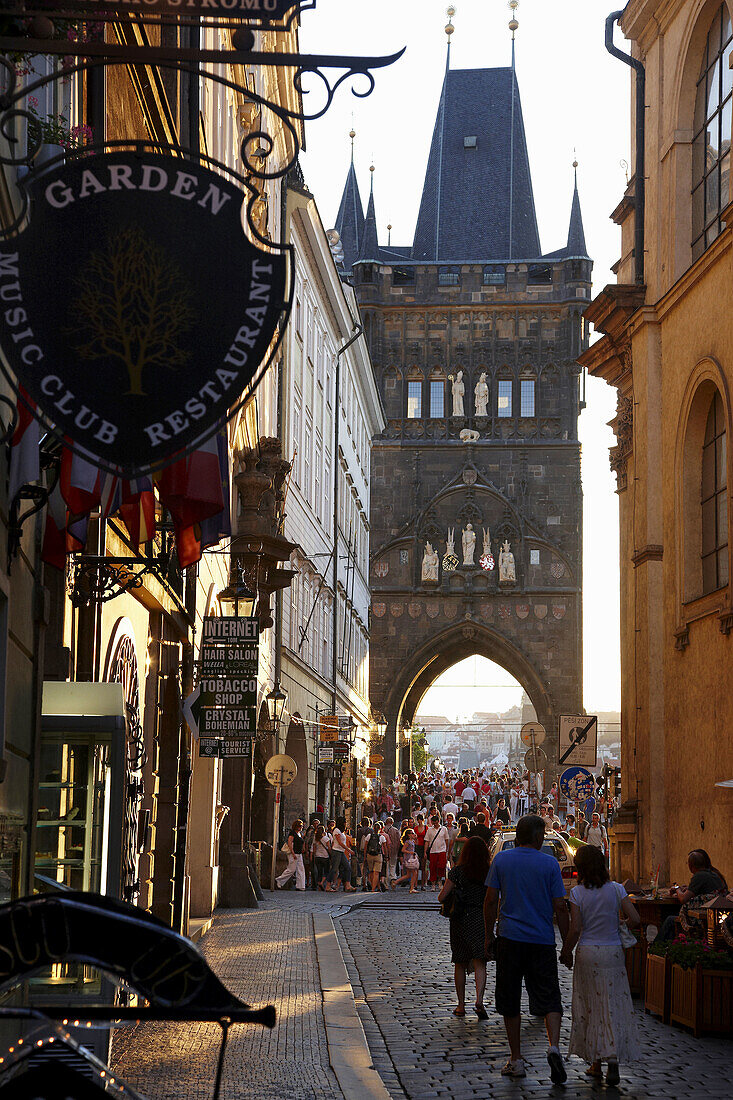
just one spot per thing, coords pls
(532, 892)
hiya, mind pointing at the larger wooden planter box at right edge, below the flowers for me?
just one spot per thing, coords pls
(702, 998)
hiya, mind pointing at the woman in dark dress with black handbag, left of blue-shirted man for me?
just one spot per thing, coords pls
(462, 900)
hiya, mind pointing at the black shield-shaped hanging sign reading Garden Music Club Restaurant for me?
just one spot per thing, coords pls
(159, 313)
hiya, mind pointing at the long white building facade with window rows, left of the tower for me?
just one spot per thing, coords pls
(332, 411)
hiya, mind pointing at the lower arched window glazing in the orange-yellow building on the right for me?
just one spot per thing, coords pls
(714, 499)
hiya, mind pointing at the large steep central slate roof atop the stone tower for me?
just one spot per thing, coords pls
(465, 214)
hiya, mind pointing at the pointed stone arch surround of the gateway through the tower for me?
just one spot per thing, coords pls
(444, 651)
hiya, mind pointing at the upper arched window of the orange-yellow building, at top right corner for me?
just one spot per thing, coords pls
(712, 148)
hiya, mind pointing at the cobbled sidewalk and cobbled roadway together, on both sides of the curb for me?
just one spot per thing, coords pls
(397, 953)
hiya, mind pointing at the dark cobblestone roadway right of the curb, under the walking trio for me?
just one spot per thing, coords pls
(399, 962)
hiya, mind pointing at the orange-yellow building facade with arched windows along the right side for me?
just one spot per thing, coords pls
(668, 347)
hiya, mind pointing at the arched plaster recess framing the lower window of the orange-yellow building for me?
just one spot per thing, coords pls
(692, 601)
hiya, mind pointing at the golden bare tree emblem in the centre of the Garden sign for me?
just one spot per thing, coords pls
(134, 306)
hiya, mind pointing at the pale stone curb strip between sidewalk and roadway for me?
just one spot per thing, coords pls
(348, 1051)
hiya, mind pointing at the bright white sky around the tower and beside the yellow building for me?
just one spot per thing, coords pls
(575, 97)
